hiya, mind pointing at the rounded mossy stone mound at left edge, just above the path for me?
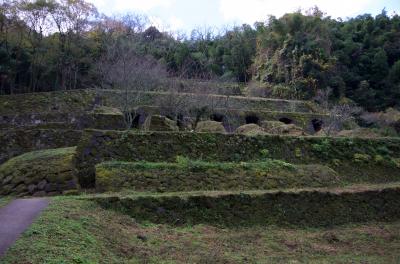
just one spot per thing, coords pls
(39, 173)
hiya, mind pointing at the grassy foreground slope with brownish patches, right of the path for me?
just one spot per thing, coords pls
(79, 231)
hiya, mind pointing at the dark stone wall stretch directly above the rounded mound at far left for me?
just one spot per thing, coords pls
(15, 142)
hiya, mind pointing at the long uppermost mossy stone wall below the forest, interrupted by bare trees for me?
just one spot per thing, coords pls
(85, 100)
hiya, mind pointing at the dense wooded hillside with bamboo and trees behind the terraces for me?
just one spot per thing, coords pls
(58, 45)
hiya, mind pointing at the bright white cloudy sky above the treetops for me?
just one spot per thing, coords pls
(184, 15)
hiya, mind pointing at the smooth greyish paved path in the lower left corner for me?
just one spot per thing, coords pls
(16, 217)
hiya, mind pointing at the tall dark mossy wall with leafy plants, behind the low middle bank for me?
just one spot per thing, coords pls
(347, 156)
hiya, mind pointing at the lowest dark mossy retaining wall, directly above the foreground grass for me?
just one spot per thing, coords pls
(306, 207)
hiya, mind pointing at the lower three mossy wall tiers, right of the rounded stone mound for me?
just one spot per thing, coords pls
(362, 177)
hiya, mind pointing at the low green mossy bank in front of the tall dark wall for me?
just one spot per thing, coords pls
(187, 175)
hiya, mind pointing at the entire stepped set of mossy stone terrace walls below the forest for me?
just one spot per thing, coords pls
(243, 180)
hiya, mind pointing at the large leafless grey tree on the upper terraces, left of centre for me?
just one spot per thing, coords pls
(131, 74)
